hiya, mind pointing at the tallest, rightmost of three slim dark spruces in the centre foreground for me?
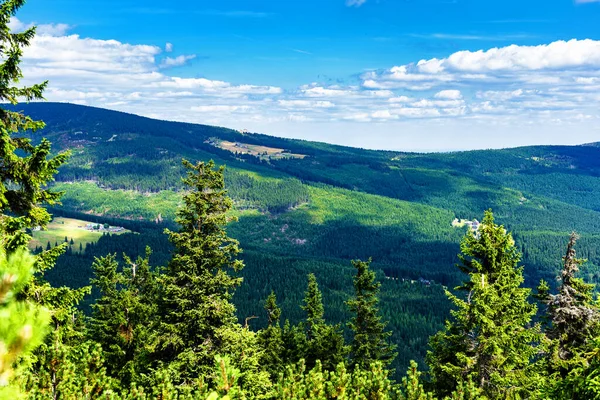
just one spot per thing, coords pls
(370, 341)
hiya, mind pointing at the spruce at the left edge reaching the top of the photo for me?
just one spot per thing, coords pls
(26, 168)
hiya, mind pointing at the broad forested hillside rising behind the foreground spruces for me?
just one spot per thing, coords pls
(312, 207)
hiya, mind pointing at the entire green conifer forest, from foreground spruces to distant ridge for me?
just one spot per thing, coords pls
(333, 276)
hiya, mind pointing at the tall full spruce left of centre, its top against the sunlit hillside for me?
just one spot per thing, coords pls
(196, 303)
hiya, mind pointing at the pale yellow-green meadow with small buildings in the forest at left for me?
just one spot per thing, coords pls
(70, 228)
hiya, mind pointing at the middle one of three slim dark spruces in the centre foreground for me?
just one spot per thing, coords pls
(323, 342)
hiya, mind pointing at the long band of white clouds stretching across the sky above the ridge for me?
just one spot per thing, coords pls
(557, 82)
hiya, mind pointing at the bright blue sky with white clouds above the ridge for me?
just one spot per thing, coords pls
(415, 75)
